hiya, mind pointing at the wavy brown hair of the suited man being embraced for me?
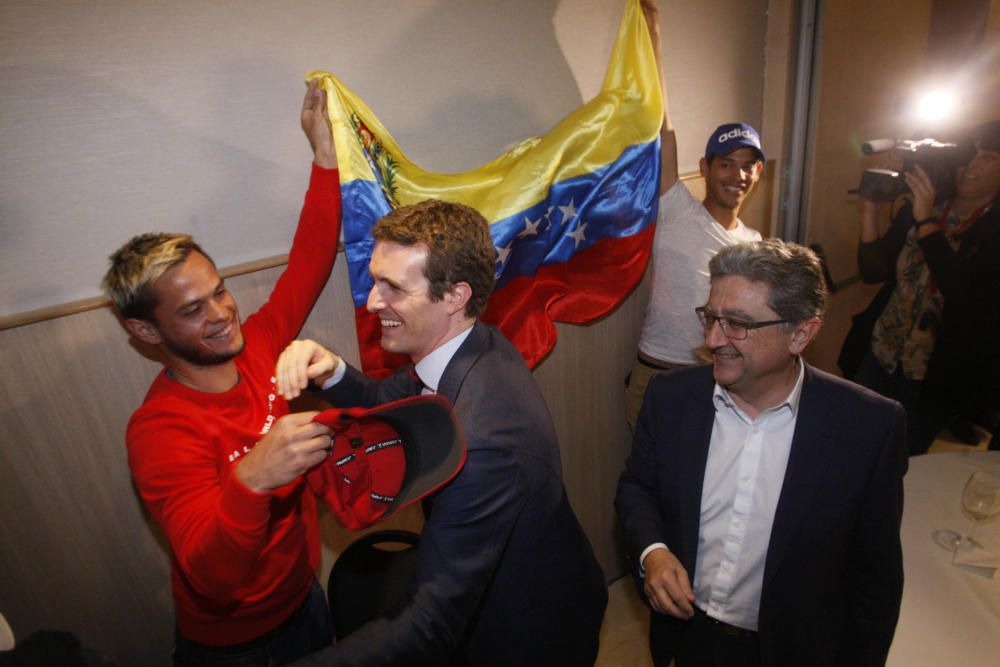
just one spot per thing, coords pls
(459, 247)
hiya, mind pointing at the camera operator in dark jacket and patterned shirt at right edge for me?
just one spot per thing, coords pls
(926, 339)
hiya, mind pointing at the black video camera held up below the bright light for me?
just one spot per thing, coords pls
(938, 159)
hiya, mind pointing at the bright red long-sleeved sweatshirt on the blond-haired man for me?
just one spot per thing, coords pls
(241, 562)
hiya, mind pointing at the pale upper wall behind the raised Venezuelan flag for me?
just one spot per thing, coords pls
(126, 116)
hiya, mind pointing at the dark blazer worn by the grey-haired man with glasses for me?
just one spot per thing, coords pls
(833, 576)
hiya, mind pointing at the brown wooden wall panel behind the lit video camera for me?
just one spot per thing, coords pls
(870, 55)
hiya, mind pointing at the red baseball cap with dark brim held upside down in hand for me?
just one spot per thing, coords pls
(387, 457)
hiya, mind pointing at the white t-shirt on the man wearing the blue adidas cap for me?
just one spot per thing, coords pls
(687, 237)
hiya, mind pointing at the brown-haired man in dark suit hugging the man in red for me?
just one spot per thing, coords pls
(505, 575)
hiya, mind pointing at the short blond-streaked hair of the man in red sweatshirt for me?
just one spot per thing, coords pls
(136, 266)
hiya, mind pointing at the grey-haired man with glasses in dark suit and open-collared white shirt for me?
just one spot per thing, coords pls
(762, 500)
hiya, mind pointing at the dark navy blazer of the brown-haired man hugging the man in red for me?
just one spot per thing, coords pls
(505, 574)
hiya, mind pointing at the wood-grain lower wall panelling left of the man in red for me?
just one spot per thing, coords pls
(78, 552)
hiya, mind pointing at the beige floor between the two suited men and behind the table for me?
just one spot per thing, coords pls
(626, 622)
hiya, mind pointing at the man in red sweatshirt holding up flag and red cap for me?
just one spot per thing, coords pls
(213, 450)
